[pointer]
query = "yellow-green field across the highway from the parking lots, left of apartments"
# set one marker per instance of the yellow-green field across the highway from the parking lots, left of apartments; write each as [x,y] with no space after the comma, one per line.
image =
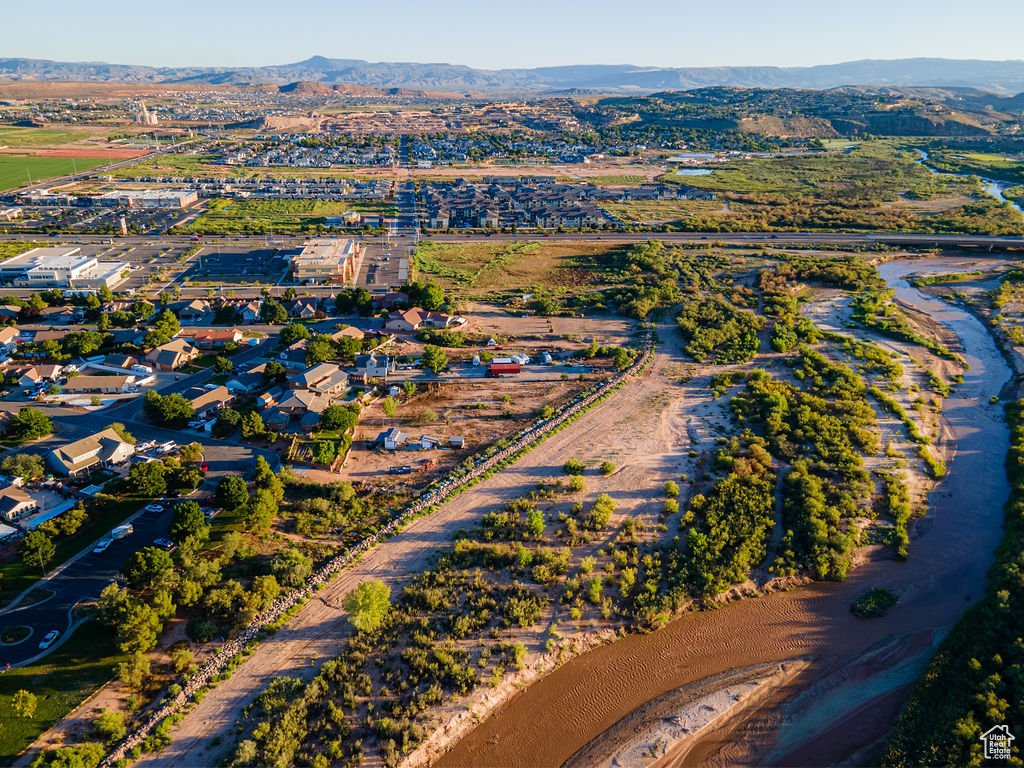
[259,217]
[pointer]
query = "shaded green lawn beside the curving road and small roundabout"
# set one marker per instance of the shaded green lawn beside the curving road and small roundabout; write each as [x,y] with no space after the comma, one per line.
[62,681]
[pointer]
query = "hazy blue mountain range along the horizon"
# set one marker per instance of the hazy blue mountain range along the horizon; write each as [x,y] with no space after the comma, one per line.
[1001,77]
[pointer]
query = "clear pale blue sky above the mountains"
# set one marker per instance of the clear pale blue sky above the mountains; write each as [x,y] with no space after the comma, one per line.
[497,34]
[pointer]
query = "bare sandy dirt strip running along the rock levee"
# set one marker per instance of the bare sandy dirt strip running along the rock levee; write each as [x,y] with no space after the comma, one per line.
[633,424]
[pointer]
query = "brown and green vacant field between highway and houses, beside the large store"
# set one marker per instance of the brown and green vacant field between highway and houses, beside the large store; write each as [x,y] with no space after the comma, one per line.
[489,269]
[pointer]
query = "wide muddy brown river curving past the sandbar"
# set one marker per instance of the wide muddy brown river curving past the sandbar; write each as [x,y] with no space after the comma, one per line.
[846,700]
